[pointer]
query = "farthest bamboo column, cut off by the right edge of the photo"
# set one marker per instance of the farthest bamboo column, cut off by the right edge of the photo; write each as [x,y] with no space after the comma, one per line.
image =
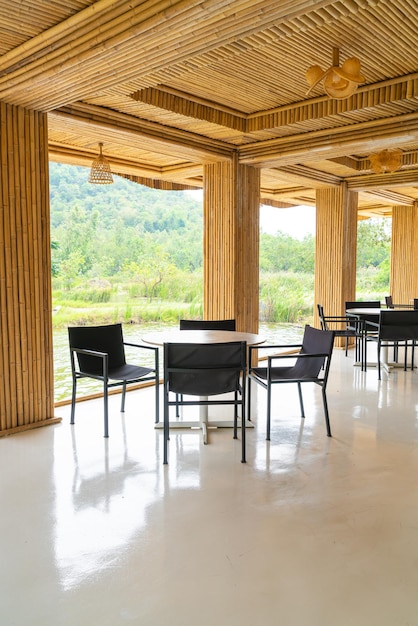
[404,254]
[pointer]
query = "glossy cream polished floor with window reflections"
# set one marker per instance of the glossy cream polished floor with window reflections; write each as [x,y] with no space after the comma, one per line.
[312,531]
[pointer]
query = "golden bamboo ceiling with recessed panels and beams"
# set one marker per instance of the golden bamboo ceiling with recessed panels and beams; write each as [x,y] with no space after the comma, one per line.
[171,85]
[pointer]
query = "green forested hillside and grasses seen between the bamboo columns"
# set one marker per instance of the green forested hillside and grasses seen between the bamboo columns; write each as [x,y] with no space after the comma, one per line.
[125,252]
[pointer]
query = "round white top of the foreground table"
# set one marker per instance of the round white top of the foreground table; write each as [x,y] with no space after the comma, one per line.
[201,336]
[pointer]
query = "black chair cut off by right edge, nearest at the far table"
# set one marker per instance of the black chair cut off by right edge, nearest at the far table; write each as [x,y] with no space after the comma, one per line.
[397,329]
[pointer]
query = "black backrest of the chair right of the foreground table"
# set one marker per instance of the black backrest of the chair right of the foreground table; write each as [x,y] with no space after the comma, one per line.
[314,341]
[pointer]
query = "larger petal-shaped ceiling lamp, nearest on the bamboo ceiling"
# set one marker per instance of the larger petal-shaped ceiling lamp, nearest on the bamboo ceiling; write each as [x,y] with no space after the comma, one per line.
[339,82]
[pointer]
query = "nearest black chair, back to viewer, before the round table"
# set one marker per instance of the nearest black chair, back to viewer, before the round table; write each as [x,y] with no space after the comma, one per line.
[205,370]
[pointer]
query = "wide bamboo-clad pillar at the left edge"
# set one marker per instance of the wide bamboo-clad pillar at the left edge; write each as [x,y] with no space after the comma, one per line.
[26,365]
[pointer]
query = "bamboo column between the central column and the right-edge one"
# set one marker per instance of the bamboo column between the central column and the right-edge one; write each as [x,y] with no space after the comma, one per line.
[335,251]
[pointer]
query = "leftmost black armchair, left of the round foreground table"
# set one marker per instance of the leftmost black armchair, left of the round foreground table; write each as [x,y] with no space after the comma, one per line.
[99,352]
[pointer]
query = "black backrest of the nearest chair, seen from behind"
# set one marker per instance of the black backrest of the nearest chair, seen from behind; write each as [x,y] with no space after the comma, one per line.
[204,369]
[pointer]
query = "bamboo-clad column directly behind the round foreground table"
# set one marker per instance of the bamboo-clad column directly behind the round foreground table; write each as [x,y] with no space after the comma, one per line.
[231,243]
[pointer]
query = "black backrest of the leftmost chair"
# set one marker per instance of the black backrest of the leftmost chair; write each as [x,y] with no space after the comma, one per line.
[107,339]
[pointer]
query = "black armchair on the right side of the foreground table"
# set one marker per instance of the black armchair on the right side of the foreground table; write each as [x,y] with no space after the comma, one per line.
[312,365]
